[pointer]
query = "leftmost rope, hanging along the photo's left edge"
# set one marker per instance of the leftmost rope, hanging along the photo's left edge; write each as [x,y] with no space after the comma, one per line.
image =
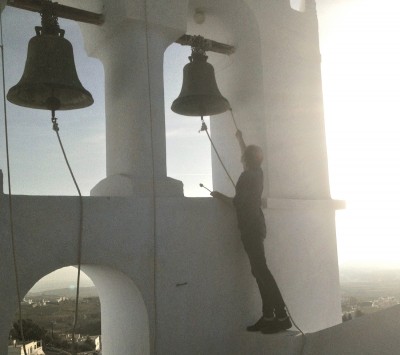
[10,205]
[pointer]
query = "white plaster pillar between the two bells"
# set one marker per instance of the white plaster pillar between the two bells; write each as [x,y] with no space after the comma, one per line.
[131,45]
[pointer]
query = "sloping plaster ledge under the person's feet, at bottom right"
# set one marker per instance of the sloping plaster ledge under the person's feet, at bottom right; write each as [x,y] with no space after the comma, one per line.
[368,335]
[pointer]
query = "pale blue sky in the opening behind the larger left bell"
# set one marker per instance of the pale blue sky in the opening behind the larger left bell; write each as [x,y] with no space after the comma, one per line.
[37,166]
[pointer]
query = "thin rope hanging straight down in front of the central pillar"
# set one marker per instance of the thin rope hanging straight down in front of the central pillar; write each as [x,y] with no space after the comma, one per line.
[153,180]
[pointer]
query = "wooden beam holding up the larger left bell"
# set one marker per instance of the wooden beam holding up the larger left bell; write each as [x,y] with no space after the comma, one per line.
[67,12]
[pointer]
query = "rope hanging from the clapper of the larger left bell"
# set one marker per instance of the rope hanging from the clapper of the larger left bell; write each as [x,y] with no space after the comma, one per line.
[56,129]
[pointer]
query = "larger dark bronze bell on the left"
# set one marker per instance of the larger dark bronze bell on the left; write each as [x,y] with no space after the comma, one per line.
[50,80]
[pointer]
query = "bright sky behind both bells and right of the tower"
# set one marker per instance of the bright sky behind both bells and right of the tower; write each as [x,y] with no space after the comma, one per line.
[360,46]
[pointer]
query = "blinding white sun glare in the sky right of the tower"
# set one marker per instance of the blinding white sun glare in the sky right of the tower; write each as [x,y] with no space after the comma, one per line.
[360,49]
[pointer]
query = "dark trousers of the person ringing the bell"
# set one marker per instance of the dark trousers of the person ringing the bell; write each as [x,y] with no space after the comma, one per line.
[272,300]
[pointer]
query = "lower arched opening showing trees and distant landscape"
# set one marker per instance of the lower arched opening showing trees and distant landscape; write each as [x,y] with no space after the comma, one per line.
[48,311]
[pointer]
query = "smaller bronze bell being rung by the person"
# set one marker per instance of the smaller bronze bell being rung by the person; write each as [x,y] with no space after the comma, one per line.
[199,94]
